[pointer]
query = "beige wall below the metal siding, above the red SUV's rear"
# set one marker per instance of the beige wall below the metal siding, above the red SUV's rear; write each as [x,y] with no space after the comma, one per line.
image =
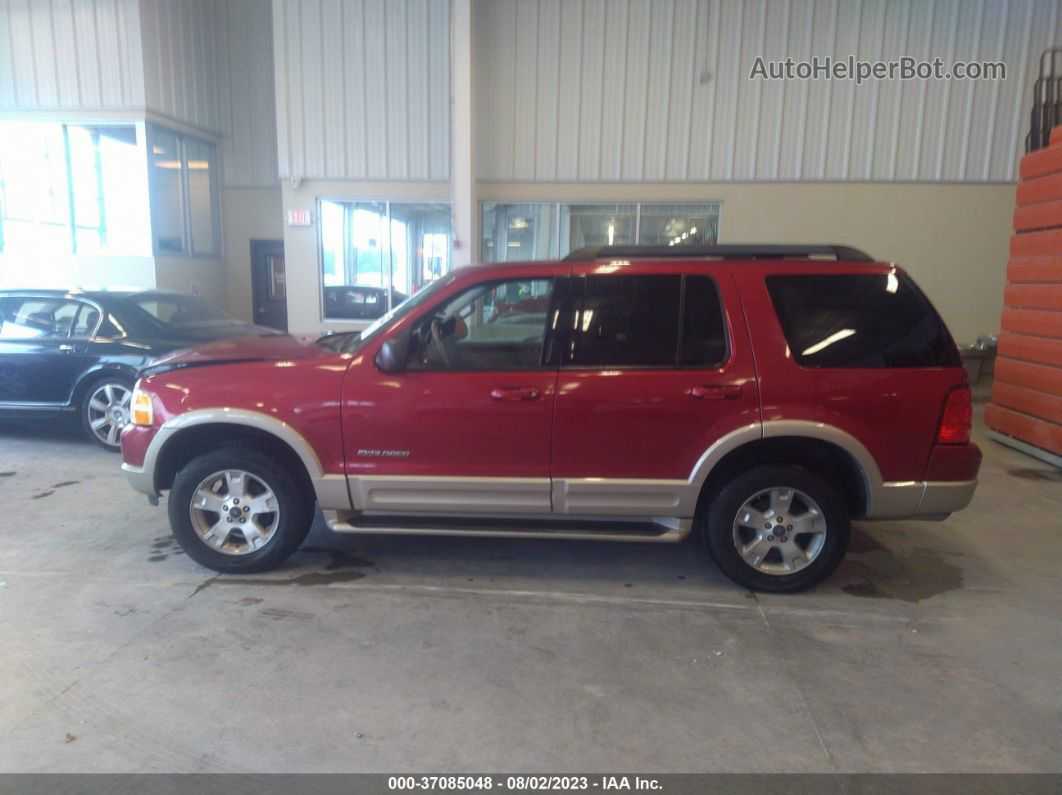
[952,238]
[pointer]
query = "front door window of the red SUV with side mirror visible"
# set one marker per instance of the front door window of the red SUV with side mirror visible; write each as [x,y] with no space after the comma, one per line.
[489,327]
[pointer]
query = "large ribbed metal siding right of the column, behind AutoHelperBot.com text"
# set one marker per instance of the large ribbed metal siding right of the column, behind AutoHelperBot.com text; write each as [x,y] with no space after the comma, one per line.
[660,90]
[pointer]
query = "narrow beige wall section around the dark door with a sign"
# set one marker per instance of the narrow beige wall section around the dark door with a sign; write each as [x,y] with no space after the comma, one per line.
[248,214]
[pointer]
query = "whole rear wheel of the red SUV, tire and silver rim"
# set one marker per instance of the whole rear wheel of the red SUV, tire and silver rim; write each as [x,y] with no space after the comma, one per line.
[778,529]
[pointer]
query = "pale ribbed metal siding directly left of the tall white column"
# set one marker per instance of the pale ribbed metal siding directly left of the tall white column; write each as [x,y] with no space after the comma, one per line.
[363,89]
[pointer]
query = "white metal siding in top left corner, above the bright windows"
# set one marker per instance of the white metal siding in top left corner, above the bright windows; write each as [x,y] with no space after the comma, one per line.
[77,55]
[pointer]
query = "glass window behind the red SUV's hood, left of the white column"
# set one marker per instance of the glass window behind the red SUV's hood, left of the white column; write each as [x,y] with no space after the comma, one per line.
[368,247]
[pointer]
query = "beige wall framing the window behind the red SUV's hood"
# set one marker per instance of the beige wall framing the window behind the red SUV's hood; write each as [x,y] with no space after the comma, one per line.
[301,243]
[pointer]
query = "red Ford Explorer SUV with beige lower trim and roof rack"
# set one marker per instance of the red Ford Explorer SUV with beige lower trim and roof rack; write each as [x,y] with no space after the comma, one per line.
[762,394]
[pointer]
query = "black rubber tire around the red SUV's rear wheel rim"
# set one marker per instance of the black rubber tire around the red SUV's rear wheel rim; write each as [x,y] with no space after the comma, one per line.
[720,530]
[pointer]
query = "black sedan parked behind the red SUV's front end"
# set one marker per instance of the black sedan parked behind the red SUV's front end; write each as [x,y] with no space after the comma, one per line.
[80,352]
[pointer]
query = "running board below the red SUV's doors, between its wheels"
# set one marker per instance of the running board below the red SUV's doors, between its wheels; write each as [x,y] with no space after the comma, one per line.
[540,527]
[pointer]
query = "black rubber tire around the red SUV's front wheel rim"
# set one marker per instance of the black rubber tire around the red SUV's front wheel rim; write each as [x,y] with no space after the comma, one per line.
[293,524]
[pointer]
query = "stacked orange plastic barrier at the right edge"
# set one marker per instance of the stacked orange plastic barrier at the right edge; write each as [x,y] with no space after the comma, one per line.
[1027,395]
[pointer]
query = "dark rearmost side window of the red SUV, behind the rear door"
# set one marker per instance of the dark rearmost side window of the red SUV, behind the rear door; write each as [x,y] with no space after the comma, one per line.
[860,321]
